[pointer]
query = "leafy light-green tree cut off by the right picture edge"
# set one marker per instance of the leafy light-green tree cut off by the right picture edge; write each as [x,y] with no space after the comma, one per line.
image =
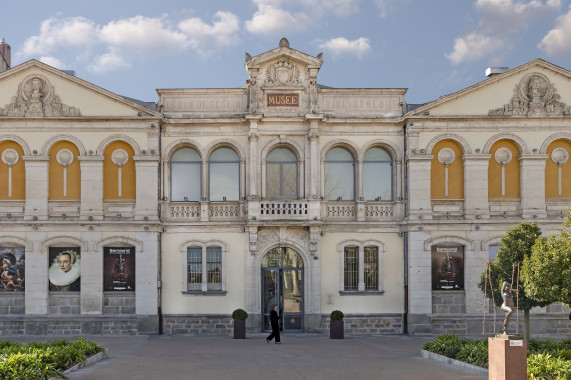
[547,271]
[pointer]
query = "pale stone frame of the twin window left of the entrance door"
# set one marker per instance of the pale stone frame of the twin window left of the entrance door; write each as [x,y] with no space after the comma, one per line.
[203,245]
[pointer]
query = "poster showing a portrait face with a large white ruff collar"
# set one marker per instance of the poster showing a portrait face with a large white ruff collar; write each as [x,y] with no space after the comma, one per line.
[65,269]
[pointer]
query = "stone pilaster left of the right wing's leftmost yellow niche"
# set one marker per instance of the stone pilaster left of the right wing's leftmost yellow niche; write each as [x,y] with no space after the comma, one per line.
[420,206]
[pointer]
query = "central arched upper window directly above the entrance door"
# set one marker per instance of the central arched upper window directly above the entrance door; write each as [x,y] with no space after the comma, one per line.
[281,172]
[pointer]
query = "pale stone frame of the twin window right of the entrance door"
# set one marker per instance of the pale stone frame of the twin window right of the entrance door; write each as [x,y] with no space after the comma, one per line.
[361,244]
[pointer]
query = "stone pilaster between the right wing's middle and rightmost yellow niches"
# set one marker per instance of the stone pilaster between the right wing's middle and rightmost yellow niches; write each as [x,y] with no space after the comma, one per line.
[533,185]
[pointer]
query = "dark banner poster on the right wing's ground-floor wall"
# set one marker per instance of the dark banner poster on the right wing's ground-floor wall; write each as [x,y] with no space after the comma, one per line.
[447,267]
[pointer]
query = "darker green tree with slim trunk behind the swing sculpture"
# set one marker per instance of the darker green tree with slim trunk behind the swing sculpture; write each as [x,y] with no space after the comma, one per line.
[515,247]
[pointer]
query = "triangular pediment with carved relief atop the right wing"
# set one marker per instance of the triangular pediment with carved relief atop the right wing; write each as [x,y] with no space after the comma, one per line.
[535,89]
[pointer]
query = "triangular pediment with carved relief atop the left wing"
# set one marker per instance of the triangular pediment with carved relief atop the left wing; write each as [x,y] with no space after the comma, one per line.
[35,89]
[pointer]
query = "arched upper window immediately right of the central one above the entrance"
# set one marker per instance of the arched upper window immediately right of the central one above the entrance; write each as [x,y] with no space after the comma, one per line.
[339,175]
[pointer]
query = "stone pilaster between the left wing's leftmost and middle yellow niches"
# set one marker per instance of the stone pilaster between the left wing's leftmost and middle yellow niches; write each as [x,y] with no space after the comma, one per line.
[36,187]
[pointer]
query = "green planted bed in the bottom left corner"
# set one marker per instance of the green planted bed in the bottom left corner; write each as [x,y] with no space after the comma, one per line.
[43,360]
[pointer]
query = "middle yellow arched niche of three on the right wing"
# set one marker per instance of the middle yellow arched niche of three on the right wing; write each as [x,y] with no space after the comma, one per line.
[512,172]
